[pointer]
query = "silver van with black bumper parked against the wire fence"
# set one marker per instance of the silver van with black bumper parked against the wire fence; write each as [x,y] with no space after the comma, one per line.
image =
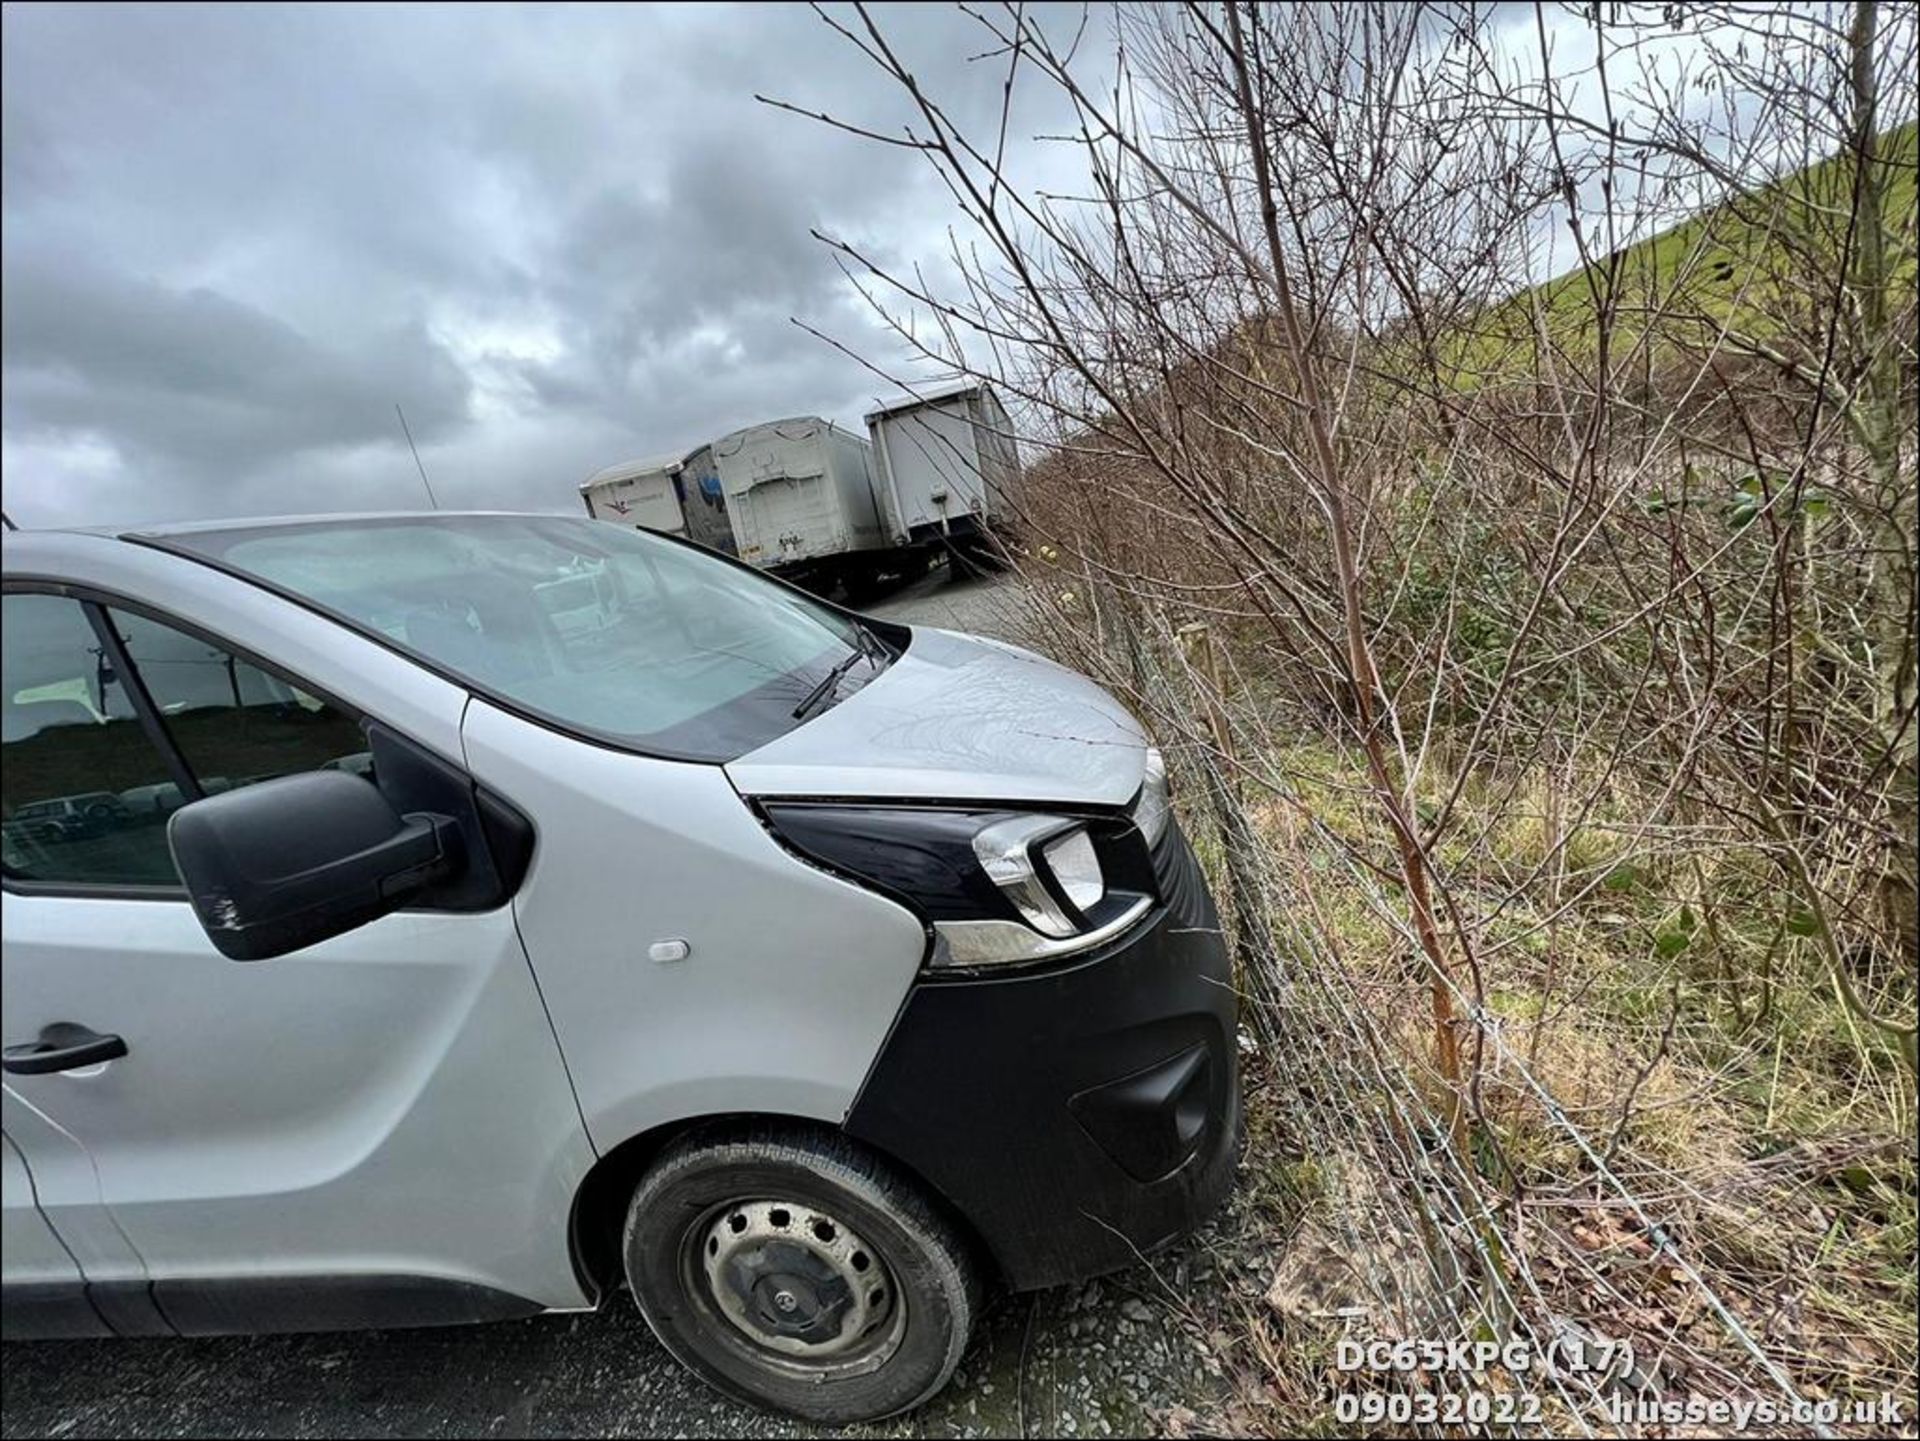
[585,910]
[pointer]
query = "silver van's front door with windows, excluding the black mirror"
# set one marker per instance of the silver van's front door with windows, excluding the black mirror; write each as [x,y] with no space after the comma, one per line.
[377,1129]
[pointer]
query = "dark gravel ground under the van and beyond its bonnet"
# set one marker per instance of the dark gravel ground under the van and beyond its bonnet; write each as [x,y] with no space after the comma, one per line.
[1103,1359]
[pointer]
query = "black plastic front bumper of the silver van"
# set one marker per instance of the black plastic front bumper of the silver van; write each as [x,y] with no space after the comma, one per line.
[1078,1116]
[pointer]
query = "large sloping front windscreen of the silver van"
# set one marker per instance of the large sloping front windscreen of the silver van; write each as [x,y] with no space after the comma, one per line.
[598,628]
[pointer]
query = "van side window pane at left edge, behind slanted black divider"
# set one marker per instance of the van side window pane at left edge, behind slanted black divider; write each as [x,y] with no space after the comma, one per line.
[84,793]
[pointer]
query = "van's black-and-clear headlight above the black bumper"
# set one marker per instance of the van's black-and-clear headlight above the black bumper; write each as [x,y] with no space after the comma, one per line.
[996,887]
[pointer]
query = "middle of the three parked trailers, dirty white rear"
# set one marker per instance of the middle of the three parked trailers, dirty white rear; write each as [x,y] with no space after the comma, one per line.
[802,498]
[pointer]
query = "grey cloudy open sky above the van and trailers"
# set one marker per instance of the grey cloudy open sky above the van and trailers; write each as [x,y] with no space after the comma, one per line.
[237,237]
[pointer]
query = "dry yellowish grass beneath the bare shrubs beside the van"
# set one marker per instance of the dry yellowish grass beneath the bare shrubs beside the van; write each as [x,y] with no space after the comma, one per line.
[1633,1066]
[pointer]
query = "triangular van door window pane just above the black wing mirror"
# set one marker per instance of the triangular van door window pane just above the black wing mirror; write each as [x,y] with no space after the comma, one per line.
[235,722]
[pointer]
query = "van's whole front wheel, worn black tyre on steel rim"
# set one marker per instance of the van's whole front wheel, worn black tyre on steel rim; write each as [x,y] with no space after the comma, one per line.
[800,1273]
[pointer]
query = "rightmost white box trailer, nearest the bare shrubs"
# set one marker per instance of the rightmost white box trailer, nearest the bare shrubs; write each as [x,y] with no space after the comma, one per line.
[944,465]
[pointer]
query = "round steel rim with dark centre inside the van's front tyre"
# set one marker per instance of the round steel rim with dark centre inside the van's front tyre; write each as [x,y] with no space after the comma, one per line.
[796,1281]
